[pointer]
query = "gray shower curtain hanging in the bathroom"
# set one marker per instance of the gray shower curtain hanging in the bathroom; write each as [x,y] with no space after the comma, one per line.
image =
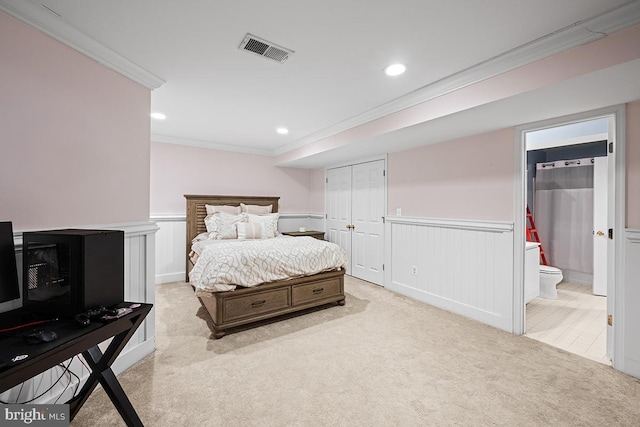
[564,216]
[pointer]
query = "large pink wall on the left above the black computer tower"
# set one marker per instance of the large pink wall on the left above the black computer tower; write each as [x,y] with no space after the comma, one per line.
[75,136]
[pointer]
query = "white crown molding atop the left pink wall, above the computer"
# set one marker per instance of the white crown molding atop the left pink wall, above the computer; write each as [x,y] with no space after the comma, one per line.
[46,22]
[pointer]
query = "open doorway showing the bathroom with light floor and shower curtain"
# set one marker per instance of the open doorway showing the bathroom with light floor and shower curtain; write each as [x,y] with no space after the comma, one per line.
[567,185]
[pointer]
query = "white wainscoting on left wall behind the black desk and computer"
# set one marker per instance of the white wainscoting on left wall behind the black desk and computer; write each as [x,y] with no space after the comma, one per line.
[139,286]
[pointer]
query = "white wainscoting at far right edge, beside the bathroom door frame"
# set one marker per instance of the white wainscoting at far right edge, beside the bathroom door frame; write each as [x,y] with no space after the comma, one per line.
[629,318]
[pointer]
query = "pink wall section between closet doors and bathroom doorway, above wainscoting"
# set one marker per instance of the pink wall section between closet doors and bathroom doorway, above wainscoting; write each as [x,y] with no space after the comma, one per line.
[468,178]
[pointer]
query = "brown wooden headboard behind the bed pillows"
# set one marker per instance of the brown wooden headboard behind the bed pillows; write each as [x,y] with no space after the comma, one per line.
[196,212]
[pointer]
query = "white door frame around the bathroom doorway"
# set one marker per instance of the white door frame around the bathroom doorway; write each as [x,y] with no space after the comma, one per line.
[616,259]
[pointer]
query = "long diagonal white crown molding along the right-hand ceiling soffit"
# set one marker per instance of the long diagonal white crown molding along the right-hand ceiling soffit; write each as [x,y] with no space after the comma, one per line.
[573,35]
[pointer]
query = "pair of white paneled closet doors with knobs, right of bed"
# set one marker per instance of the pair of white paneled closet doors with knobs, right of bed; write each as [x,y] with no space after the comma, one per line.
[355,217]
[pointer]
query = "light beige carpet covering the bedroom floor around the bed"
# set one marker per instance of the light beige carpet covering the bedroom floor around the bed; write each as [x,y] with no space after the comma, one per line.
[381,360]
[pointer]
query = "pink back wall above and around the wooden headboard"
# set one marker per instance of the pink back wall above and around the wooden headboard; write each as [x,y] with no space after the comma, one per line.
[177,170]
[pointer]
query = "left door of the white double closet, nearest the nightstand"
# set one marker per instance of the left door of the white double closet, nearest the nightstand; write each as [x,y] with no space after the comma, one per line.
[339,209]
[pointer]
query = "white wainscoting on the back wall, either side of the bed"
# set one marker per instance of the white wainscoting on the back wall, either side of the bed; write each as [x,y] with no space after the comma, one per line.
[171,240]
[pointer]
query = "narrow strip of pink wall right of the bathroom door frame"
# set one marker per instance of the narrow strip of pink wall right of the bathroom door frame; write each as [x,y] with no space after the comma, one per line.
[633,165]
